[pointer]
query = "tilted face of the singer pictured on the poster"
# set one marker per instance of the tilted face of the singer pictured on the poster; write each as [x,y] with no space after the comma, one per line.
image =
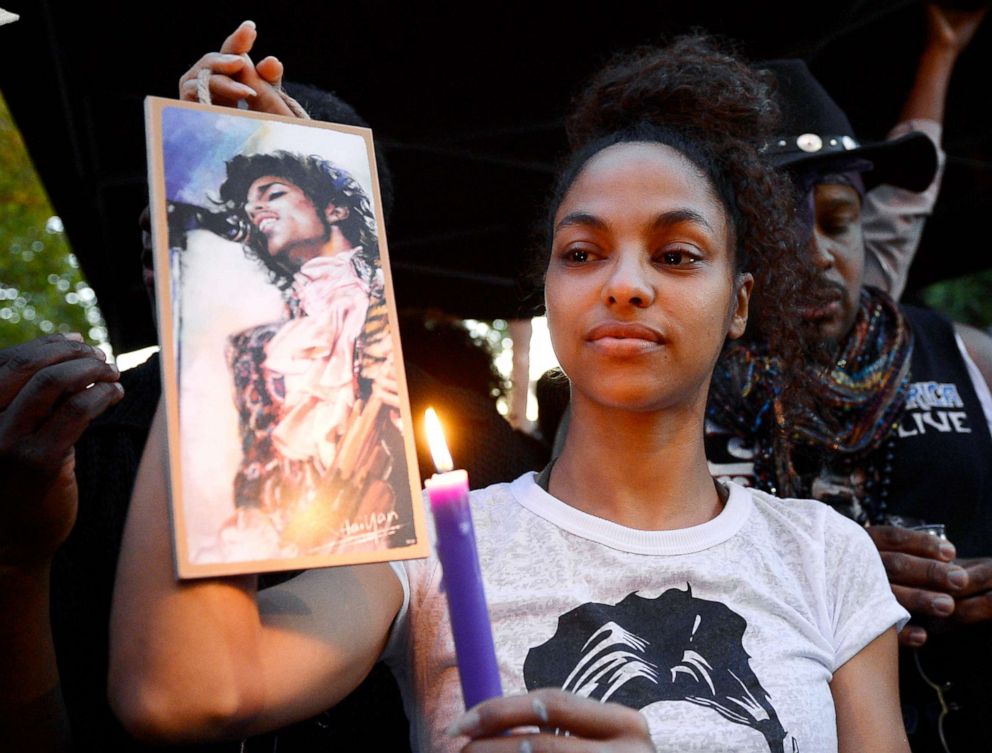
[286,217]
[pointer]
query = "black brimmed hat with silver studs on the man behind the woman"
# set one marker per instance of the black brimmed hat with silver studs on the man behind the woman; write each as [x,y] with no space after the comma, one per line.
[816,133]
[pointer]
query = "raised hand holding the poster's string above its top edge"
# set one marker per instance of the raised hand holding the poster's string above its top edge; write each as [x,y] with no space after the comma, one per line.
[234,77]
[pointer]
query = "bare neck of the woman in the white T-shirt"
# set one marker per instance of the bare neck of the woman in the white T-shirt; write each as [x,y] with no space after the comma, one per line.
[641,470]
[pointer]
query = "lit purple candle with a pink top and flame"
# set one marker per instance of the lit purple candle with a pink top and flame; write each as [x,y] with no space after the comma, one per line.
[448,493]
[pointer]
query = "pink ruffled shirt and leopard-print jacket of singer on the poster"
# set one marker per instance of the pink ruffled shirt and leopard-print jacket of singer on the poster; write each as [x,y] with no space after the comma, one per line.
[295,381]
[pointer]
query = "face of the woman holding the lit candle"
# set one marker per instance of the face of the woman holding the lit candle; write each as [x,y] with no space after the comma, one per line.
[640,290]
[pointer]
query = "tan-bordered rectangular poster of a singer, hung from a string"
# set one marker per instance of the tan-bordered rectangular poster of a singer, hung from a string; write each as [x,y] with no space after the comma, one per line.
[290,435]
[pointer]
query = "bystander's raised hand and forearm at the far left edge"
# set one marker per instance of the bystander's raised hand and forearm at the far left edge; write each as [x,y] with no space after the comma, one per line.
[50,390]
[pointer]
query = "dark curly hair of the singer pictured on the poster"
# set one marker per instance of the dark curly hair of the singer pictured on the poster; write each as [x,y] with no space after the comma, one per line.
[321,181]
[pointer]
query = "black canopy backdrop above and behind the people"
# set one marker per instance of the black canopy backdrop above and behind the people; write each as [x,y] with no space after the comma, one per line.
[467,100]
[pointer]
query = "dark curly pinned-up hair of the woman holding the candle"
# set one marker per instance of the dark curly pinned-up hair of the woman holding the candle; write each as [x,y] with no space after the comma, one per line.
[710,106]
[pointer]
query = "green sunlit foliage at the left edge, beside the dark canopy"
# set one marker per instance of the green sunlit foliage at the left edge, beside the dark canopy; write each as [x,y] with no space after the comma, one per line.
[41,287]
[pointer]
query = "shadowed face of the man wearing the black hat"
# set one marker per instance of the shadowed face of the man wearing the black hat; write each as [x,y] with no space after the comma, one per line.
[839,256]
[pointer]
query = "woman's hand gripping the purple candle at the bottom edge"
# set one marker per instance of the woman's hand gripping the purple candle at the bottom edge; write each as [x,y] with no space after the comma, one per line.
[492,726]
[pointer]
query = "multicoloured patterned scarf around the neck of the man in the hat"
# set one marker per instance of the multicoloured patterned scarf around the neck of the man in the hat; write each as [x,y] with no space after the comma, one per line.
[854,406]
